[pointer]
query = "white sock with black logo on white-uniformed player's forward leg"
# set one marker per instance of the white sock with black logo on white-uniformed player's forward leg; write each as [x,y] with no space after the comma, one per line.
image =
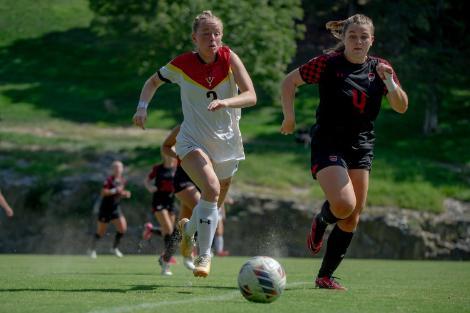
[207,218]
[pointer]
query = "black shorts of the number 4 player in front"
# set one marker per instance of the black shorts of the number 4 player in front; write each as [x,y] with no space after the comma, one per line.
[349,157]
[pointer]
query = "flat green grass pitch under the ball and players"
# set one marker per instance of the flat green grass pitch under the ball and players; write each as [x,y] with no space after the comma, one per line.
[36,283]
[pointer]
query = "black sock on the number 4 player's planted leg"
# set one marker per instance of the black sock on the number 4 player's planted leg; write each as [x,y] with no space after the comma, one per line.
[338,244]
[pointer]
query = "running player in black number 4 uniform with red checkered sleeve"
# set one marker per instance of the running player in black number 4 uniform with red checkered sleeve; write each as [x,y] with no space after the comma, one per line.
[351,85]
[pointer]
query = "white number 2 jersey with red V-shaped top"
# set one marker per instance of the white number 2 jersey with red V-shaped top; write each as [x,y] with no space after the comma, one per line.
[217,133]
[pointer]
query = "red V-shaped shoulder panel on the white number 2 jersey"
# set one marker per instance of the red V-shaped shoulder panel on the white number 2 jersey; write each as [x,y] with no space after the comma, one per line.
[207,75]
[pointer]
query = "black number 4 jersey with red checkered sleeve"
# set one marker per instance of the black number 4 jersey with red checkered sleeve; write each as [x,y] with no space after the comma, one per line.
[350,98]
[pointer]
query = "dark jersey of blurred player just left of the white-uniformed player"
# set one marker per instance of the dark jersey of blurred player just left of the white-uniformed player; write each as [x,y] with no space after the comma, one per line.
[163,180]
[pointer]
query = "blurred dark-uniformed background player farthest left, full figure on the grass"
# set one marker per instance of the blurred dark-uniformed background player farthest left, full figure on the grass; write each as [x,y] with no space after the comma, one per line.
[111,194]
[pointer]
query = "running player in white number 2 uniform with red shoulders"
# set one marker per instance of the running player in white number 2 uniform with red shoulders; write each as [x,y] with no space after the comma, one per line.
[214,86]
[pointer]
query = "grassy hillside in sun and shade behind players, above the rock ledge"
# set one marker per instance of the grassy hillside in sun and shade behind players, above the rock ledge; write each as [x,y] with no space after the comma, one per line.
[66,92]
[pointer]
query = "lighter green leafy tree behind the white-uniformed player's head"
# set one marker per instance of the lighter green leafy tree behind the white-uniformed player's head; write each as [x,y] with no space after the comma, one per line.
[263,33]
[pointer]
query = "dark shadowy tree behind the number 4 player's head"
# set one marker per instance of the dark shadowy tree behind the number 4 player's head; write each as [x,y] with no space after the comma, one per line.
[426,40]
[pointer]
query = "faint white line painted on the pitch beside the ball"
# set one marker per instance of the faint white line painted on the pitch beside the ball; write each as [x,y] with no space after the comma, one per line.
[151,305]
